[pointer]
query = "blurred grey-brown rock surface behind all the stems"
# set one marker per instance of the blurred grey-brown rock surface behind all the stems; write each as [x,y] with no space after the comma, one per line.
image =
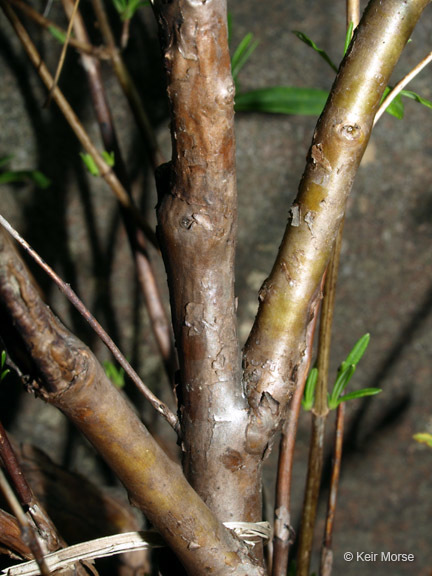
[385,285]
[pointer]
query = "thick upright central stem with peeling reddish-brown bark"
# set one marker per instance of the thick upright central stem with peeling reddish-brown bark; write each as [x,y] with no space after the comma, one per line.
[197,230]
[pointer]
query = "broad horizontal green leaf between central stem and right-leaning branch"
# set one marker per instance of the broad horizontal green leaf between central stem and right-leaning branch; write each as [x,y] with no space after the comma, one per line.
[282,100]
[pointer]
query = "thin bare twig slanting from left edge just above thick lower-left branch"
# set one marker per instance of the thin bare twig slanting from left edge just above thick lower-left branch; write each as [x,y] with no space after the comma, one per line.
[157,404]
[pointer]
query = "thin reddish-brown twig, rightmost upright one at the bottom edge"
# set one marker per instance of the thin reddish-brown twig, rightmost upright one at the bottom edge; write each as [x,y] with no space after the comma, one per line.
[326,552]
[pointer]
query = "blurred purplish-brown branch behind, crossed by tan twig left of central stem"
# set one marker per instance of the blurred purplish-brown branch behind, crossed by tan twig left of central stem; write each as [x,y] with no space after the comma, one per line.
[145,273]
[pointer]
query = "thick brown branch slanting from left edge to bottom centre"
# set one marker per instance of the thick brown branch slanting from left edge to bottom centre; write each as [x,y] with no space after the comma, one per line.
[73,381]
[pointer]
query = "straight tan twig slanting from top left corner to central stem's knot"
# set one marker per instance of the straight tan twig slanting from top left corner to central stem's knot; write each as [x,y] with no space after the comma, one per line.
[73,121]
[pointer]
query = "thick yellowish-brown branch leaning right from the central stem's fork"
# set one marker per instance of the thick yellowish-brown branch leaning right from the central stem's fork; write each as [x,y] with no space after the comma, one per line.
[275,348]
